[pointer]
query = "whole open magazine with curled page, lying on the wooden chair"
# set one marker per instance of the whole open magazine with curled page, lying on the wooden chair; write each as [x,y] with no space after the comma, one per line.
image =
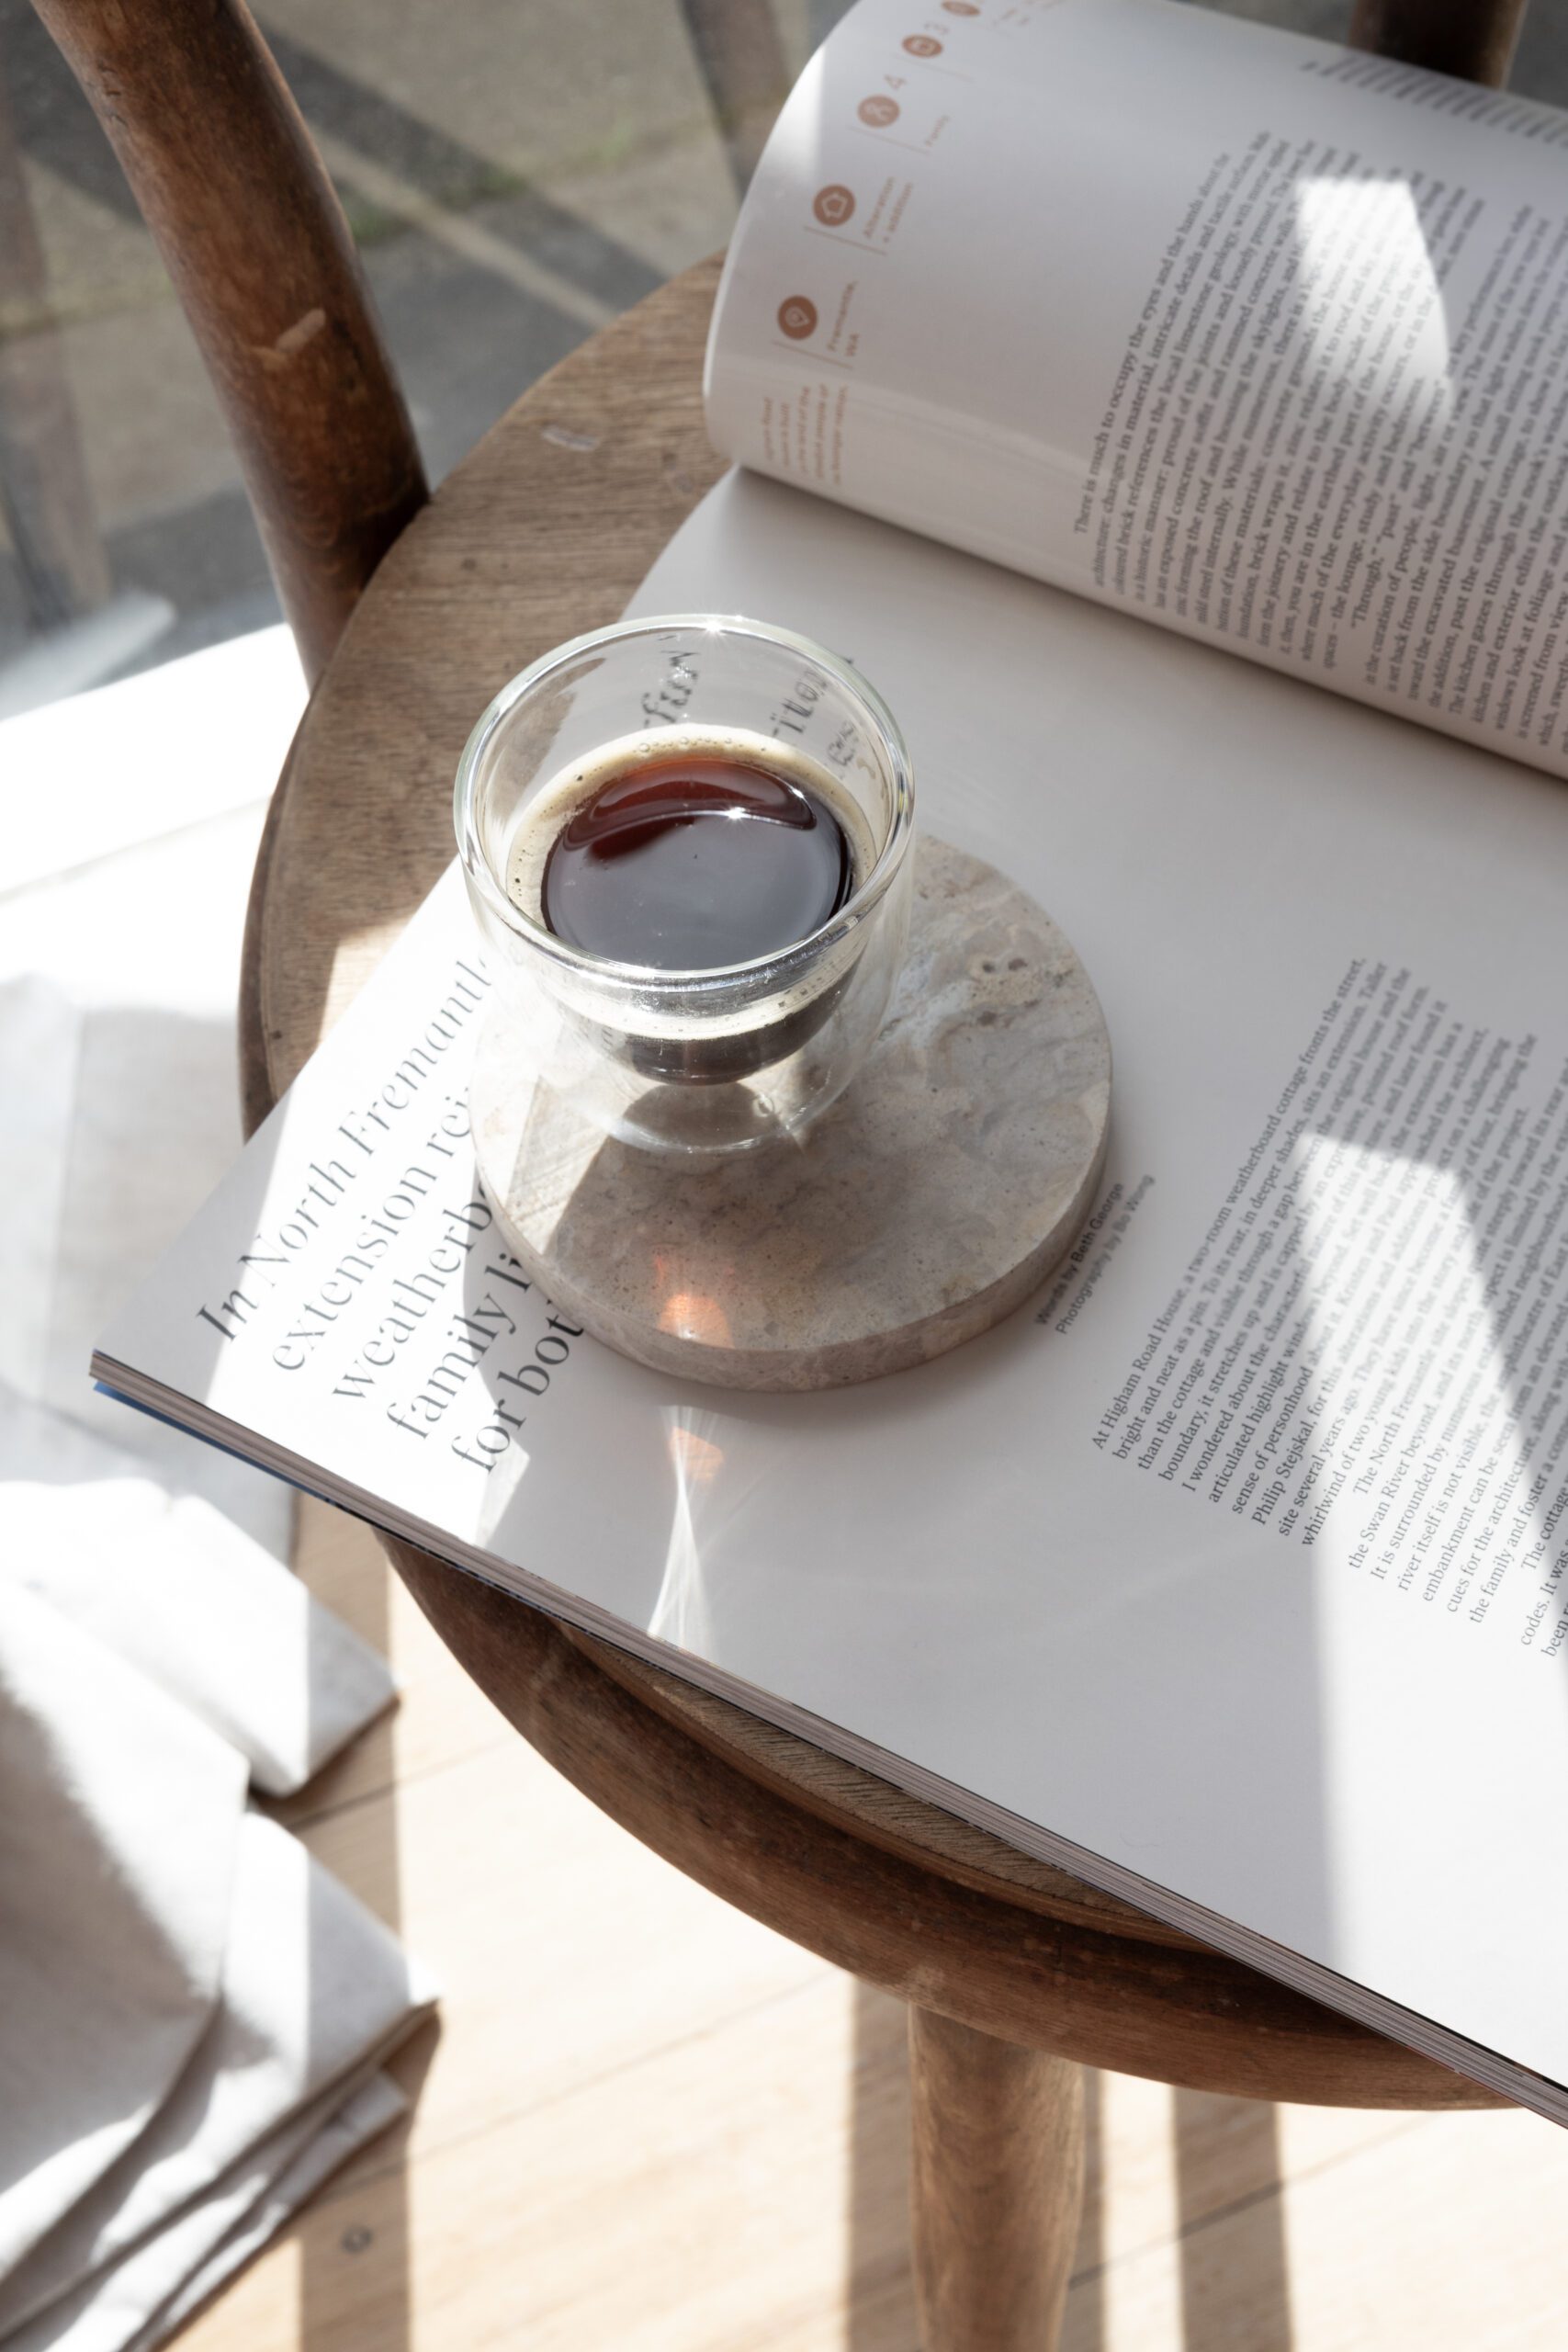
[1233,1570]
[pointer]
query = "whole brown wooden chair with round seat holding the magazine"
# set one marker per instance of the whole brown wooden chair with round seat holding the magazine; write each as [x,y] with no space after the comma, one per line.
[410,615]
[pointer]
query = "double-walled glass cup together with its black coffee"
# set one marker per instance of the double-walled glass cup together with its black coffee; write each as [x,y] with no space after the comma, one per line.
[641,810]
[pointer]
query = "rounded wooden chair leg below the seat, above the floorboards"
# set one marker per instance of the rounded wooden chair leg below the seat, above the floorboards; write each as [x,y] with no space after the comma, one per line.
[998,2186]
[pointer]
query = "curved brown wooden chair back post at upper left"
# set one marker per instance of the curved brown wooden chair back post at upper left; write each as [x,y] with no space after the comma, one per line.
[264,265]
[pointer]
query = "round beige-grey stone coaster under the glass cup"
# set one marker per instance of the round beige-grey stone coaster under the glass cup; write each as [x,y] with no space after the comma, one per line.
[920,1210]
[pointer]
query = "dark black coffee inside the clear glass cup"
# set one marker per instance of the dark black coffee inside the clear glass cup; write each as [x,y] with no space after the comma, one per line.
[695,862]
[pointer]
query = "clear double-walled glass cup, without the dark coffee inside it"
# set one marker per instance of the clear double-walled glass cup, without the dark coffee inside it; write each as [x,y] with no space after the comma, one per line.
[711,1060]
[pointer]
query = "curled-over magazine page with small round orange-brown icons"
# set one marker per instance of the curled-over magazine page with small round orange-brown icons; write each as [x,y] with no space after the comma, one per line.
[1249,335]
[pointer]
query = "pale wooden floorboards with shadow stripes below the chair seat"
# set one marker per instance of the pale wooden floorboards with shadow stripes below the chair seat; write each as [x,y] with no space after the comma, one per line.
[652,2125]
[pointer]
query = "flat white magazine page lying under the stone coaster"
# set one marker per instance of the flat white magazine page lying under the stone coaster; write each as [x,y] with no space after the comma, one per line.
[1233,1570]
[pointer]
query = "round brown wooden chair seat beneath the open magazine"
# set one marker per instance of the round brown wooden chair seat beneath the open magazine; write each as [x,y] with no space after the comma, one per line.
[547,530]
